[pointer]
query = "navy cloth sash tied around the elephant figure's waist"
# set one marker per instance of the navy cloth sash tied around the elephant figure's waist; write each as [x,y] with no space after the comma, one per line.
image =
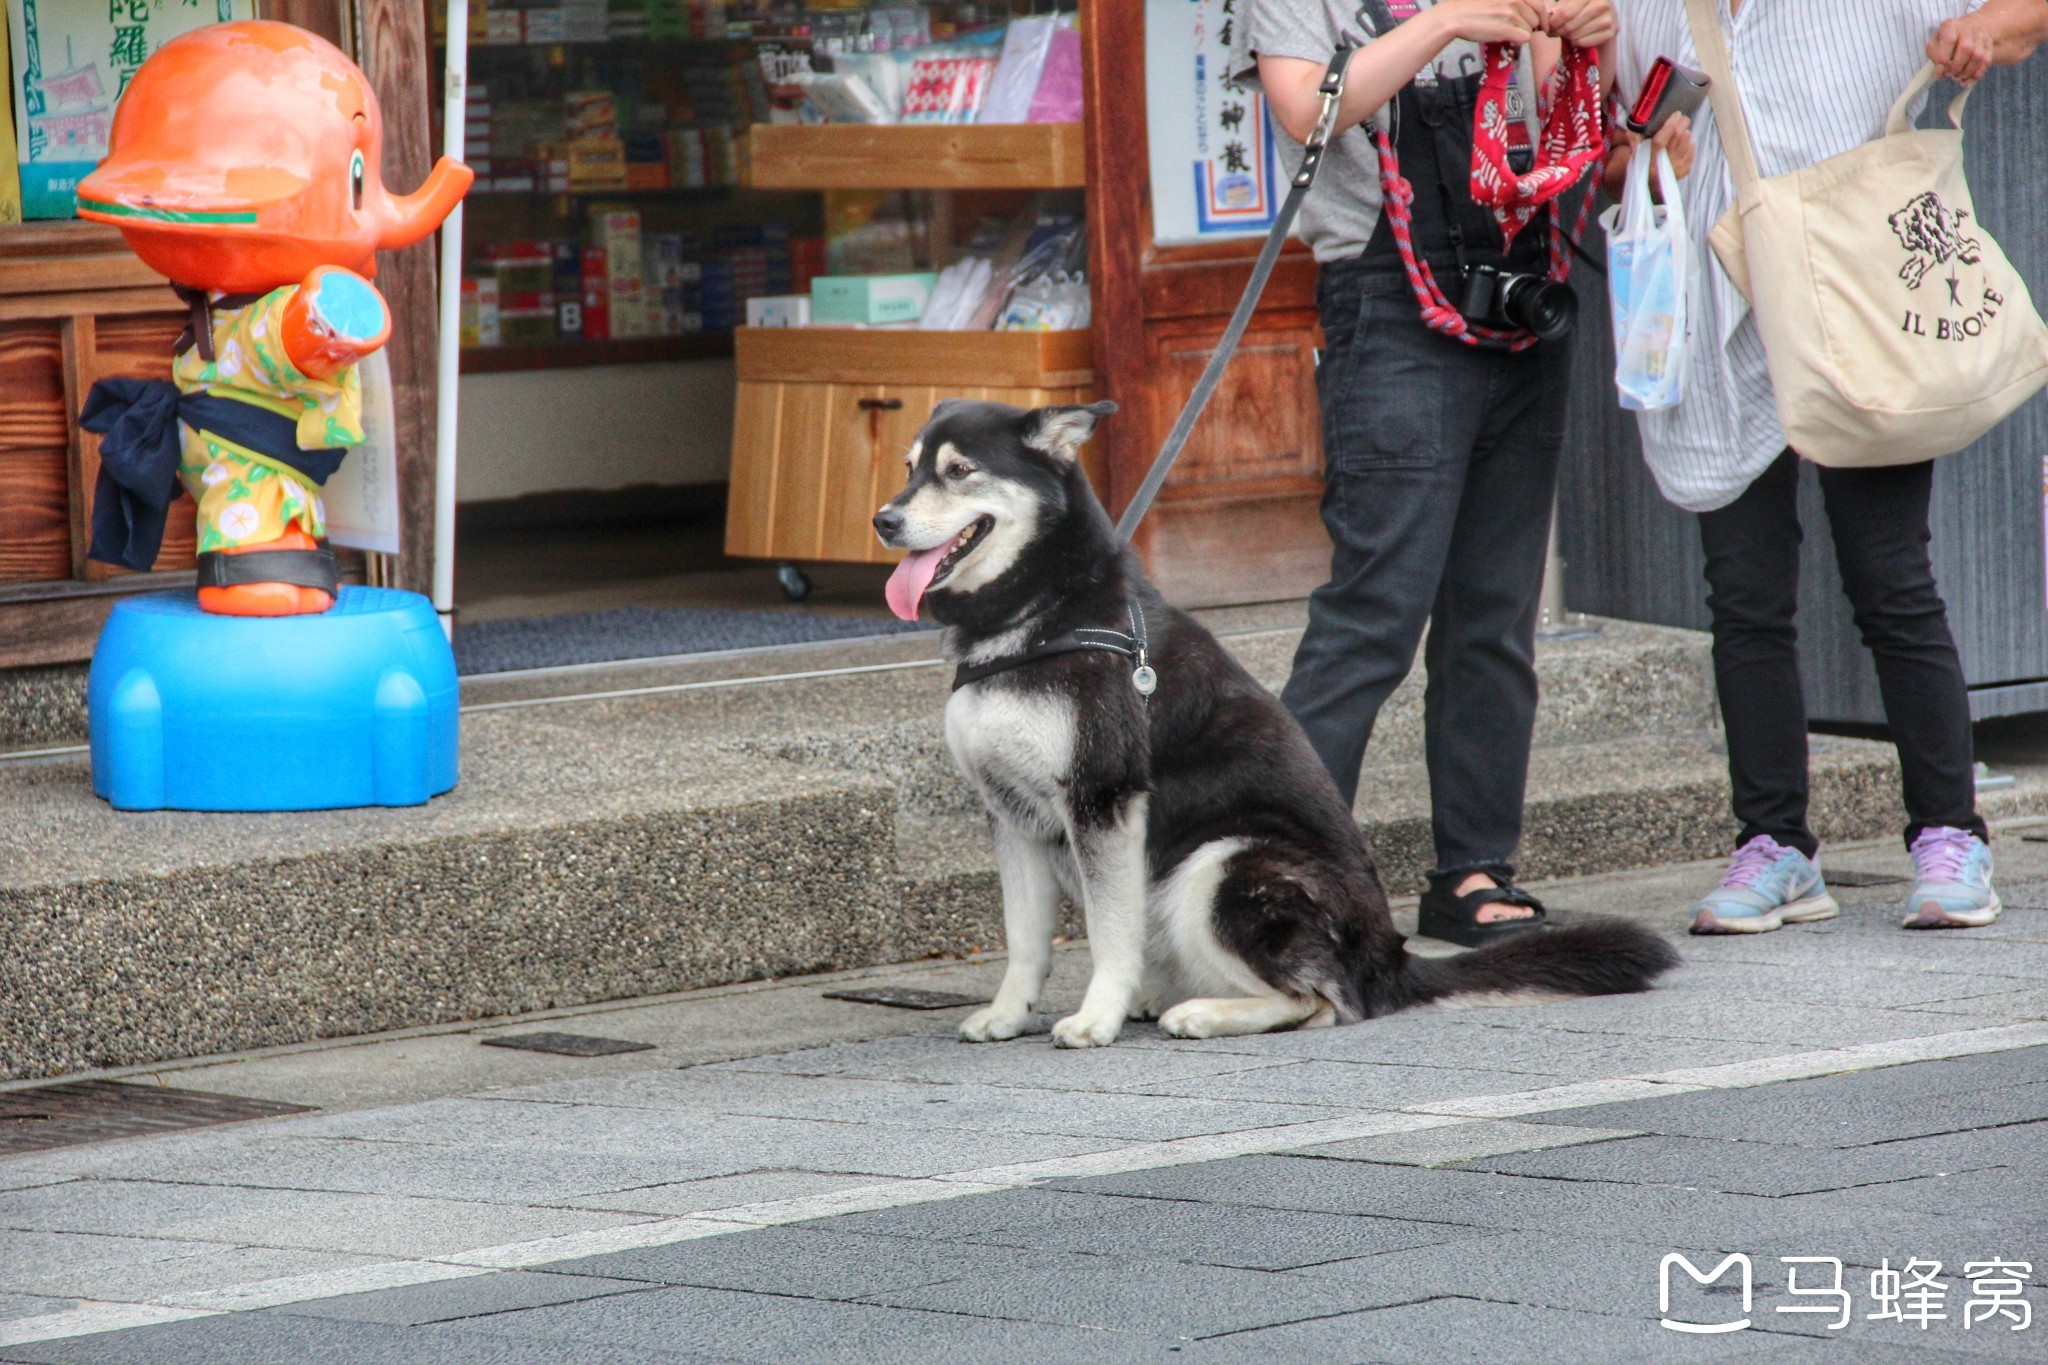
[140,447]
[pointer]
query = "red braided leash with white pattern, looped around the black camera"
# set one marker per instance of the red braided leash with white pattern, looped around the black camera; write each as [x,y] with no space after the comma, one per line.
[1574,140]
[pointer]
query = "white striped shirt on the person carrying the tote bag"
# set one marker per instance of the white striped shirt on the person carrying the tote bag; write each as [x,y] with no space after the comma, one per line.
[1818,79]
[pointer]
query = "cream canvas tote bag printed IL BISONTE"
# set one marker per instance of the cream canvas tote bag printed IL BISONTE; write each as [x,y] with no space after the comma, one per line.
[1893,324]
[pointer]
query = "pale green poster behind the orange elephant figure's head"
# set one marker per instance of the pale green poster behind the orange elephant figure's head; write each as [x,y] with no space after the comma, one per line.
[73,60]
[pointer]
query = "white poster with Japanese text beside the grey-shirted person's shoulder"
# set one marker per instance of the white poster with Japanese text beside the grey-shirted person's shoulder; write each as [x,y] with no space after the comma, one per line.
[1213,169]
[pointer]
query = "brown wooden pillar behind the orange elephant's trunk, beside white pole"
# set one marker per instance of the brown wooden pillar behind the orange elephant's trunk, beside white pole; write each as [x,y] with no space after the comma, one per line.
[396,60]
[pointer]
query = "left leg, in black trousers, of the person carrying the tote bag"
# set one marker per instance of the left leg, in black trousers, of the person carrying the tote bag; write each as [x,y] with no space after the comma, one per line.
[1752,576]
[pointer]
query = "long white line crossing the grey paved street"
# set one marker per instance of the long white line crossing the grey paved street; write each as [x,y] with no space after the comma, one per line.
[97,1317]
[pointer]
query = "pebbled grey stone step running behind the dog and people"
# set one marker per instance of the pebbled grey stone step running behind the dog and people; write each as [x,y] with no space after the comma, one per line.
[683,824]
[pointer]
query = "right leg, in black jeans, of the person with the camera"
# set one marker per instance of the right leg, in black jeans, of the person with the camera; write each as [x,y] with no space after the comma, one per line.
[1482,648]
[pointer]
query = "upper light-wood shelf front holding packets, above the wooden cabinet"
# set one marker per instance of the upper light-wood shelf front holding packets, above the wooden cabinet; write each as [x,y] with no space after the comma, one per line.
[916,157]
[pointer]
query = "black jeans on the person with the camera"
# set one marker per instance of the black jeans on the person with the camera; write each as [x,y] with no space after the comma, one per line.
[1441,466]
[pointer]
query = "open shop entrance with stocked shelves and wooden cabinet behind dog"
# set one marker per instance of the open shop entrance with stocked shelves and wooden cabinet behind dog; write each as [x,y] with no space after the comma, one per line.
[720,265]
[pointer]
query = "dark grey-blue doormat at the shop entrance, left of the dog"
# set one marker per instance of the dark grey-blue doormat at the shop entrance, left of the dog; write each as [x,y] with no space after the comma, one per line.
[648,633]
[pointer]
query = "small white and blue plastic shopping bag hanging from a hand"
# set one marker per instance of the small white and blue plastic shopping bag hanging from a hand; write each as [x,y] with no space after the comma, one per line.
[1650,271]
